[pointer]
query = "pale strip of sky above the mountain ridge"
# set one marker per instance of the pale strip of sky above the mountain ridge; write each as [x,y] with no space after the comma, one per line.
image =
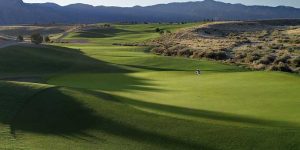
[128,3]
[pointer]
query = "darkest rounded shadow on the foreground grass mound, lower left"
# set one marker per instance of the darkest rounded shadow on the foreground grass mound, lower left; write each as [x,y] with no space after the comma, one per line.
[53,112]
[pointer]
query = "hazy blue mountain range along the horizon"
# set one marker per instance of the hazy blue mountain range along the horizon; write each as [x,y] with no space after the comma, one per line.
[18,12]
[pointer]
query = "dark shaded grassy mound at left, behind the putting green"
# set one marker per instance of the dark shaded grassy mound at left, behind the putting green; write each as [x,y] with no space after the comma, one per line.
[51,60]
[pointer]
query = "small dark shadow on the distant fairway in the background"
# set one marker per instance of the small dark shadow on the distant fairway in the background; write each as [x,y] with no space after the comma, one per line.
[102,33]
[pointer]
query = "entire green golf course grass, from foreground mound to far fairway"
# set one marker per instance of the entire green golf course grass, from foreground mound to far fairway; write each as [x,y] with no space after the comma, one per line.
[91,93]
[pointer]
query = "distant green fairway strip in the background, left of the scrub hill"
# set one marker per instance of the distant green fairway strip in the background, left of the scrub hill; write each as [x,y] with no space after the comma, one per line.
[125,33]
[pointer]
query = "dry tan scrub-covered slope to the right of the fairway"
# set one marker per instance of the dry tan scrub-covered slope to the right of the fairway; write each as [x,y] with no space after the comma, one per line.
[260,45]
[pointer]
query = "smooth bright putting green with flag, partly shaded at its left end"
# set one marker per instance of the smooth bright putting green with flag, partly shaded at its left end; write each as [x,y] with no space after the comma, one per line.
[221,92]
